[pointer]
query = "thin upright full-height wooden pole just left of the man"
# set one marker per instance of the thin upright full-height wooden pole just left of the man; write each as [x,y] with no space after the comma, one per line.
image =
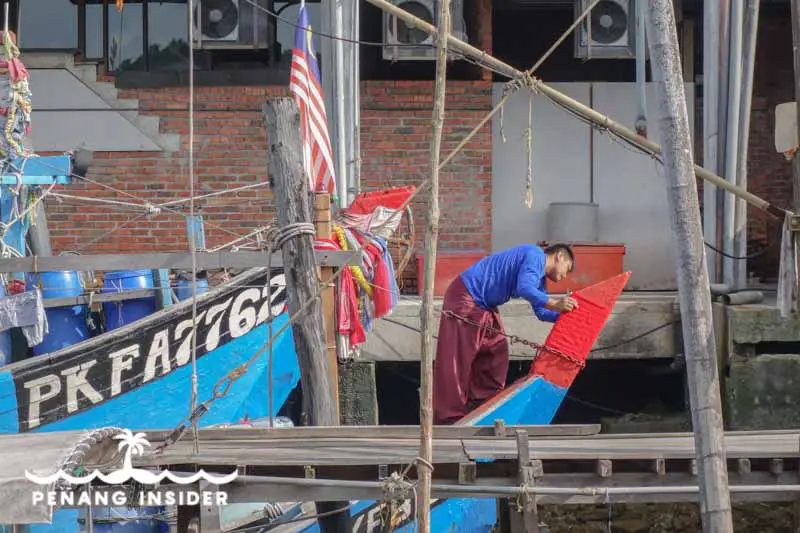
[426,313]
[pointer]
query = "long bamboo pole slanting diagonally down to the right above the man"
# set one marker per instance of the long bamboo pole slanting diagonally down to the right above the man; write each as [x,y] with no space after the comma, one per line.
[585,112]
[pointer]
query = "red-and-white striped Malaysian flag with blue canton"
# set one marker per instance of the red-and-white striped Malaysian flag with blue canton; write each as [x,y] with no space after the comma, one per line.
[304,82]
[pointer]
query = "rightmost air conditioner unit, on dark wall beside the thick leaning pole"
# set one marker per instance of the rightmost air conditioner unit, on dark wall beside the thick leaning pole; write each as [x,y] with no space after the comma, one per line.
[609,32]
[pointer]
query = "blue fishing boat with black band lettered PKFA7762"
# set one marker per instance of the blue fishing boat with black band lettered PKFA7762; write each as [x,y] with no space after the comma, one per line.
[138,376]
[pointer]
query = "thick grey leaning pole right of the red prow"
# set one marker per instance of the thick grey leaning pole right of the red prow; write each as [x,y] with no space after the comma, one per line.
[695,298]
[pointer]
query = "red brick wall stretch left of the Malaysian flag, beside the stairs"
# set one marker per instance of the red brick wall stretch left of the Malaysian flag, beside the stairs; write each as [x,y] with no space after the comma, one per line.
[230,151]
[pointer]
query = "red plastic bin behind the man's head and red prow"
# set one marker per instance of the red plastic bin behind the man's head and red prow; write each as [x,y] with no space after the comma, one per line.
[594,262]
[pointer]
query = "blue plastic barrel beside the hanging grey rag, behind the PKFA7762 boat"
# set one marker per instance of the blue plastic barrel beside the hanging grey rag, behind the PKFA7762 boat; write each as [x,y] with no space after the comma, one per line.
[66,325]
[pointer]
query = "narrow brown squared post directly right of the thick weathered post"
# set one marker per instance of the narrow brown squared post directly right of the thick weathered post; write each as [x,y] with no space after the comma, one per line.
[324,227]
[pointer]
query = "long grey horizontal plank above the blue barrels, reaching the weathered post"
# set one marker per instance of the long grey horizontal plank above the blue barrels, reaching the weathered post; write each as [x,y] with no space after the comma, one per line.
[154,261]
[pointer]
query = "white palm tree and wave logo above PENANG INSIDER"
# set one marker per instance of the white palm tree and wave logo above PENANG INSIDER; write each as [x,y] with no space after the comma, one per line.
[133,445]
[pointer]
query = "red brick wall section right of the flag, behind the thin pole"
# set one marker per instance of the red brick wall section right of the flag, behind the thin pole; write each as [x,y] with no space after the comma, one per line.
[395,137]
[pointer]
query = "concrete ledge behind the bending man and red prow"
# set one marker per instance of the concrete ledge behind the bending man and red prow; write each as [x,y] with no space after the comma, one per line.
[397,339]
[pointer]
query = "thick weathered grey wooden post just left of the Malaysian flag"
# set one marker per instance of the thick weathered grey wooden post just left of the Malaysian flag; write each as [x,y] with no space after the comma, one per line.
[293,204]
